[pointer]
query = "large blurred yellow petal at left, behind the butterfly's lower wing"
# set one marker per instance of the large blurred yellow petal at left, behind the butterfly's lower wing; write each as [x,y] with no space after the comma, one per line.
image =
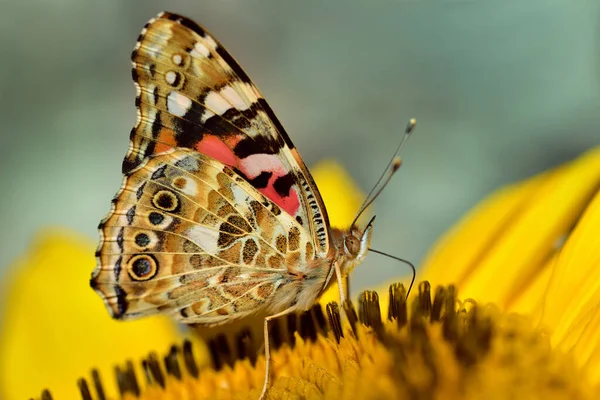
[56,328]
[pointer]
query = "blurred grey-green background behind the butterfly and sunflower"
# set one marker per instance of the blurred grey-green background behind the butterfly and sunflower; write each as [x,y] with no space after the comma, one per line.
[501,89]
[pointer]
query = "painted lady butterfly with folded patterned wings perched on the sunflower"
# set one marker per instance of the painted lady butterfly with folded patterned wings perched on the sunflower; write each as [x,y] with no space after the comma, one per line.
[218,217]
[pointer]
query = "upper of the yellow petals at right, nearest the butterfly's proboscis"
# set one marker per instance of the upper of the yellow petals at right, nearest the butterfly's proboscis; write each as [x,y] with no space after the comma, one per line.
[503,245]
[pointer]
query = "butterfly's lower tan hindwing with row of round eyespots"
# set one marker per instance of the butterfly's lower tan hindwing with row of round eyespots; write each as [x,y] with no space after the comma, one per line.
[188,236]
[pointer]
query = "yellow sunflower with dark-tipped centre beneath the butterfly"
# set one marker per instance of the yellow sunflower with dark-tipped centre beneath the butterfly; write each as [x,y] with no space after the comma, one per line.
[526,255]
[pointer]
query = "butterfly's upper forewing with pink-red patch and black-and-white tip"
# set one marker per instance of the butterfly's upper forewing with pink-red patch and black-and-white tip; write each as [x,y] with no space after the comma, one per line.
[191,93]
